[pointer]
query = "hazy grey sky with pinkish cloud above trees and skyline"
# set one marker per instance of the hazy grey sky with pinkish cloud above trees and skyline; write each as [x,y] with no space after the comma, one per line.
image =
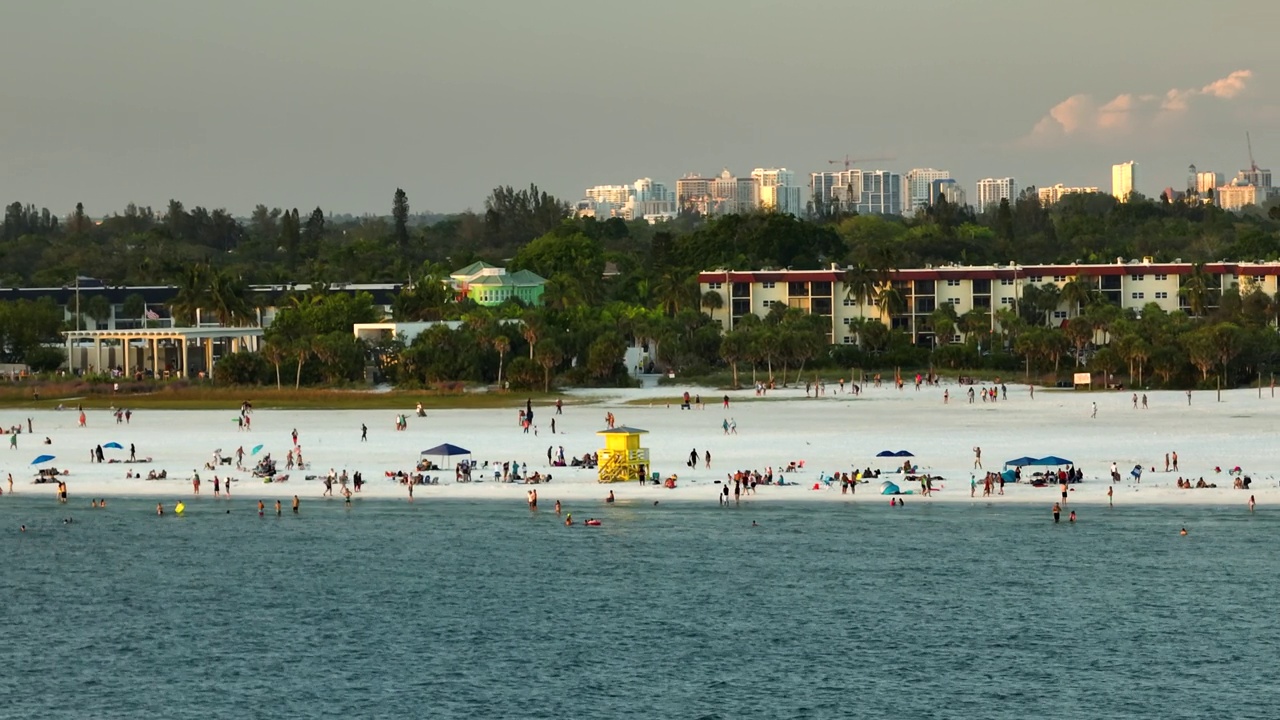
[336,104]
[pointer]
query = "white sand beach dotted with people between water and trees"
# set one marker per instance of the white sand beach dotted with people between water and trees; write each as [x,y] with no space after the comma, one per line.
[830,434]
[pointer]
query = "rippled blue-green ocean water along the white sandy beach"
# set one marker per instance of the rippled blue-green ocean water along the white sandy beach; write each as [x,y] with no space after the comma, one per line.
[468,609]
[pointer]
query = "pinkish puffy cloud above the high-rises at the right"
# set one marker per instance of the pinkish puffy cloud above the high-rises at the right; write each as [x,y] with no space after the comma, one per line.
[1082,117]
